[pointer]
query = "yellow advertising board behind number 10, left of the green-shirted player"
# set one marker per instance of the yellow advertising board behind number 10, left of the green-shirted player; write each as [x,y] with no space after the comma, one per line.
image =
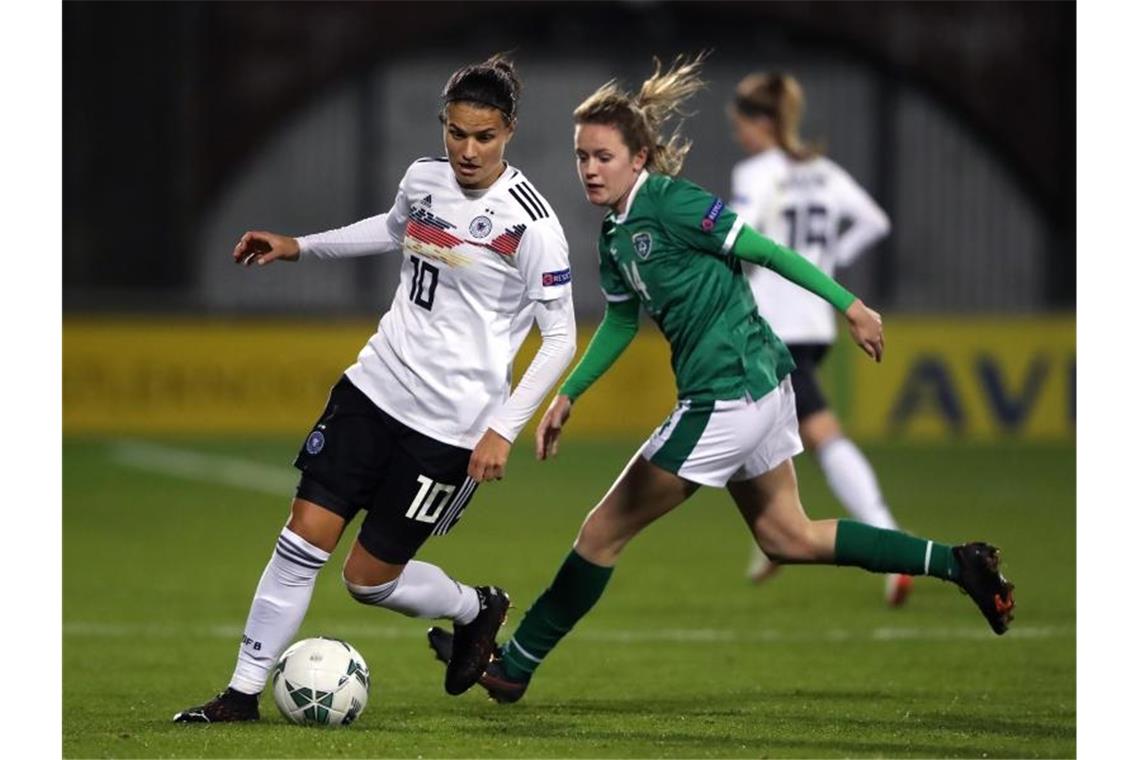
[260,378]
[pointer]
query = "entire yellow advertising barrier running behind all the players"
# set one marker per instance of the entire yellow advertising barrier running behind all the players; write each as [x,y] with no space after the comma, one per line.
[974,379]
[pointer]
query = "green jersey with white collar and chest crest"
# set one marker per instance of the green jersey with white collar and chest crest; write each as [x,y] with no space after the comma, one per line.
[673,251]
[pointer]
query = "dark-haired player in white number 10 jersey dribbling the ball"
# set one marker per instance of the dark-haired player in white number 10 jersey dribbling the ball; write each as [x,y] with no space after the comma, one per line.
[427,412]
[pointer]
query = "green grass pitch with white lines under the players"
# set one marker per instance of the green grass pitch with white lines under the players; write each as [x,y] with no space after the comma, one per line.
[165,543]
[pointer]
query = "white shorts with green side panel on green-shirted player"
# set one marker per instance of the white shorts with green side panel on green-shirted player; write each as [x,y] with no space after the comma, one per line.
[713,443]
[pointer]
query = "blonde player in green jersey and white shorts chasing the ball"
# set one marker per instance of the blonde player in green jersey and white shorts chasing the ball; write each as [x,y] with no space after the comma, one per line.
[670,247]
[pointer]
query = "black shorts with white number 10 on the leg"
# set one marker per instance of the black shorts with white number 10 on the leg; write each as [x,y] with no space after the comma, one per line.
[359,457]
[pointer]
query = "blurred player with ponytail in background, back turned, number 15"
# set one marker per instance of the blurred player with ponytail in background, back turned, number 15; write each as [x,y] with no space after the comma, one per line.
[803,200]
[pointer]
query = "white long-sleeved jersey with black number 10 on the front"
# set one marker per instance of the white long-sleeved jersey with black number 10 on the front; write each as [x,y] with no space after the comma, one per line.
[476,264]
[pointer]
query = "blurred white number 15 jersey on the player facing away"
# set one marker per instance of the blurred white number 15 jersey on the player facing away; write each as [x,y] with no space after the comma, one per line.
[803,206]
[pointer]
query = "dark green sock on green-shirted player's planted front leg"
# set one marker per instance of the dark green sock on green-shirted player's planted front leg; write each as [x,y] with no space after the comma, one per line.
[577,586]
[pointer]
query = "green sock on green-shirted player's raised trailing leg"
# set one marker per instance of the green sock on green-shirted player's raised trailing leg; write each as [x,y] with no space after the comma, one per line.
[892,552]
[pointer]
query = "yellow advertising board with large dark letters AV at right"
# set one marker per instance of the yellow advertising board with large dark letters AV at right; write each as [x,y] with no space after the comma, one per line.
[967,378]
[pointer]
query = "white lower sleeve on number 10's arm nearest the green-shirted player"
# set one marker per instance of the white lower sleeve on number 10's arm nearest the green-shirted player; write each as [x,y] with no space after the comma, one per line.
[557,325]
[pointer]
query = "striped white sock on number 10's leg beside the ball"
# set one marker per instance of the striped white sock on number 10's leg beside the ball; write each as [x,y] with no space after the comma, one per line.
[279,607]
